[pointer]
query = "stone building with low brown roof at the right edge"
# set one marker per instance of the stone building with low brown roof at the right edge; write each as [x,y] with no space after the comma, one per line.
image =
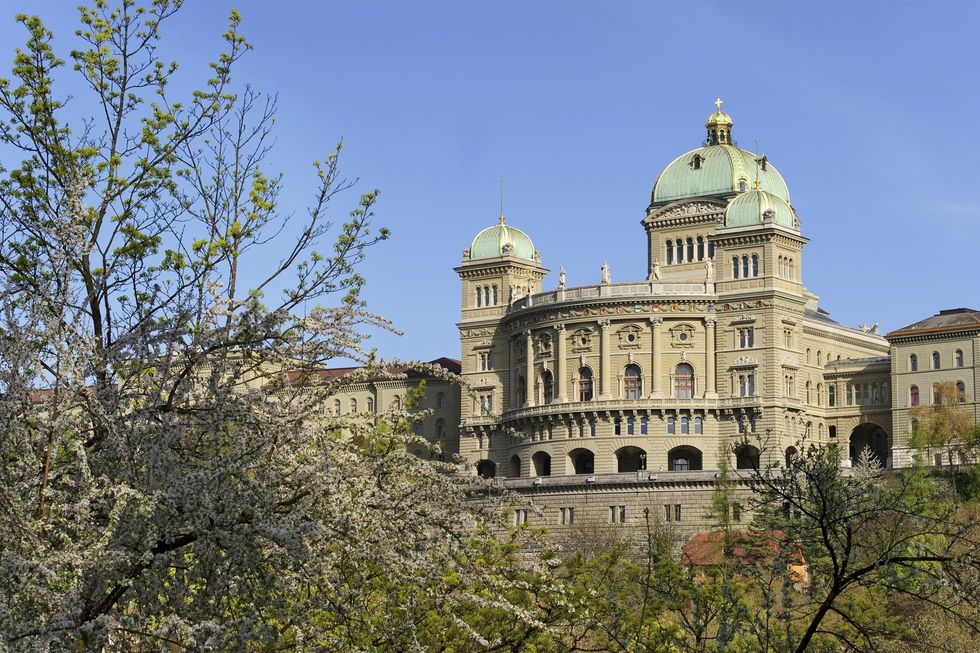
[944,347]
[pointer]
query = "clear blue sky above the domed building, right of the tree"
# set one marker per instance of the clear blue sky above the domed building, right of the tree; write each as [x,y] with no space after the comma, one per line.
[865,108]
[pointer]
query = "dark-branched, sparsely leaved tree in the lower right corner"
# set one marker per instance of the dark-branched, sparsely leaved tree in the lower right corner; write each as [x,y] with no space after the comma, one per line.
[868,536]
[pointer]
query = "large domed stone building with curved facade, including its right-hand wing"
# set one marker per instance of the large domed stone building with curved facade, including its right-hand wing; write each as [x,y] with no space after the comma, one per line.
[602,403]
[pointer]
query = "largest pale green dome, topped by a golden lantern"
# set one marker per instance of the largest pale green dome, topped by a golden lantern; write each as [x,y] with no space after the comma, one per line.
[715,170]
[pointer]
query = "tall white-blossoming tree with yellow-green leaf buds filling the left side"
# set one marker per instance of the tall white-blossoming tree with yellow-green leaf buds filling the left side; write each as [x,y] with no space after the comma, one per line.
[164,481]
